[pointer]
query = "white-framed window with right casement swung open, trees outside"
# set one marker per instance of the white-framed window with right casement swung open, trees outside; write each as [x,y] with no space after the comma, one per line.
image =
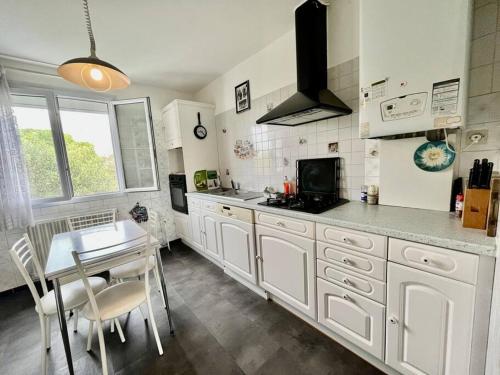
[73,146]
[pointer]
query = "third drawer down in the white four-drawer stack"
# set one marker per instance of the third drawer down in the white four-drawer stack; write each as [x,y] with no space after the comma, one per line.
[363,285]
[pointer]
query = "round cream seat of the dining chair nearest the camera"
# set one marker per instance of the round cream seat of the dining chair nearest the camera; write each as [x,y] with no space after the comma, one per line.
[117,300]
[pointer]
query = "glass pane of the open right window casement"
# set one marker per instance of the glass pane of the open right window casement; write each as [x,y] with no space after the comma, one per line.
[133,129]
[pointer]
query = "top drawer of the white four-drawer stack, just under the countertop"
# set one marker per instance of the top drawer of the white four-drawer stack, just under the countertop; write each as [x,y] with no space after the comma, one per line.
[367,243]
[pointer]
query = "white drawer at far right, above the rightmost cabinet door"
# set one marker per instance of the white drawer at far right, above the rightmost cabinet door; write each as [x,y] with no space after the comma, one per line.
[453,264]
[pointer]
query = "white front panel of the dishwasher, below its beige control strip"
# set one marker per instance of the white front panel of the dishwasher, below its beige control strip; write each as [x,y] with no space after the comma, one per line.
[238,248]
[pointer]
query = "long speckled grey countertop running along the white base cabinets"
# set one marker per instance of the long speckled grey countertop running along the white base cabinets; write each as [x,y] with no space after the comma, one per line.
[425,226]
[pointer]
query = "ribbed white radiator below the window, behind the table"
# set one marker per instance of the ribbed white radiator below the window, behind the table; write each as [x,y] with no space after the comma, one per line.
[41,236]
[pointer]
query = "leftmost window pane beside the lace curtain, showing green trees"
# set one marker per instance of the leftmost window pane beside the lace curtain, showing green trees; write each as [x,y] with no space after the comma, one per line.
[38,145]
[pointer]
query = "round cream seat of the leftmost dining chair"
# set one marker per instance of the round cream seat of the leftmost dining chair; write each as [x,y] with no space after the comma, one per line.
[73,295]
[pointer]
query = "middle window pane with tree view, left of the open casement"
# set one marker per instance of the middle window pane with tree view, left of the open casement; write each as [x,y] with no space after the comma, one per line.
[89,146]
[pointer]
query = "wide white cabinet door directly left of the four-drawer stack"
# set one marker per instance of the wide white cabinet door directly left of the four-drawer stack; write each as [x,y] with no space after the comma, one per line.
[286,268]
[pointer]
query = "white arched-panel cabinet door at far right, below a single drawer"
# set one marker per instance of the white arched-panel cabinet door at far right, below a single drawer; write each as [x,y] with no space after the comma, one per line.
[429,327]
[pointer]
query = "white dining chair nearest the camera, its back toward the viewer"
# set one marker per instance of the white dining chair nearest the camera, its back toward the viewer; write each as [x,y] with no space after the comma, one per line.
[117,299]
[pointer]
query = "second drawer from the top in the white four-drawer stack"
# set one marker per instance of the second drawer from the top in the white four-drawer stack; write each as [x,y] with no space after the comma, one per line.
[354,261]
